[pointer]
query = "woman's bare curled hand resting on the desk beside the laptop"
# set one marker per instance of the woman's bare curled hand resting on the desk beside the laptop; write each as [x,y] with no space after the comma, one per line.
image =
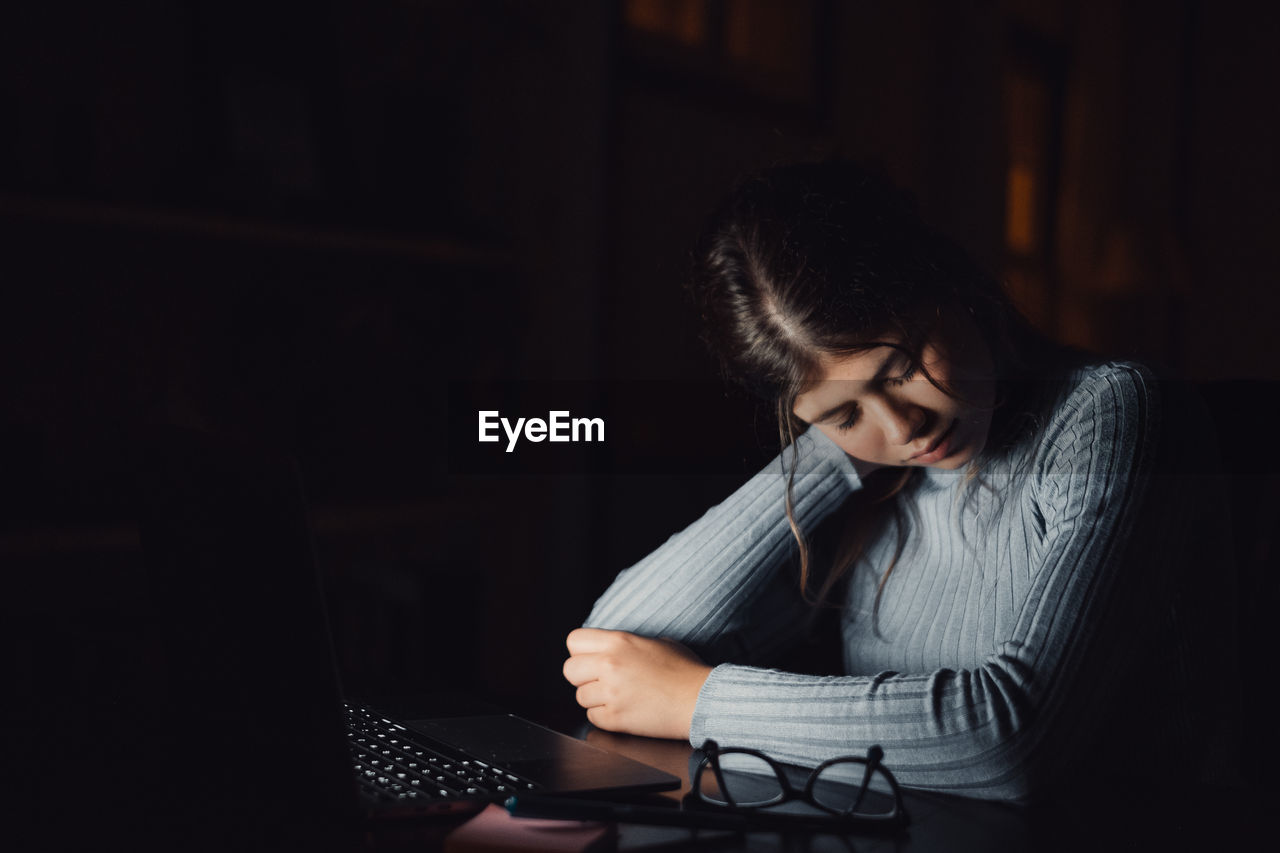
[636,685]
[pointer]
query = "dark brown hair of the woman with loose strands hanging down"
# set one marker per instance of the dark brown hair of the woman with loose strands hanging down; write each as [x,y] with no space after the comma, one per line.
[829,259]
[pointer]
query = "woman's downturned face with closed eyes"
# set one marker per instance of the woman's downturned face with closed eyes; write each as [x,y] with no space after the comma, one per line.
[880,408]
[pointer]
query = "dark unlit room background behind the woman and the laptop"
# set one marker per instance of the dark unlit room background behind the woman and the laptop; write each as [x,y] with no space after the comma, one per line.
[332,227]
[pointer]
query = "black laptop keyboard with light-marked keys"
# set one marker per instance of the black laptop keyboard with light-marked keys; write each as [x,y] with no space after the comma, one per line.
[394,768]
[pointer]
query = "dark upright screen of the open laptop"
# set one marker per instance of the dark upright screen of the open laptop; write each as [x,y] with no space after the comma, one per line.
[253,692]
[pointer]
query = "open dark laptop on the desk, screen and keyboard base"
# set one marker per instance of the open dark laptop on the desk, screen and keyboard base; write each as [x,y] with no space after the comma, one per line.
[260,726]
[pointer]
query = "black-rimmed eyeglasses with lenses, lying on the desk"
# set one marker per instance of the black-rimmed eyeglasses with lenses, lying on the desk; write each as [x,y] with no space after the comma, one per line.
[747,779]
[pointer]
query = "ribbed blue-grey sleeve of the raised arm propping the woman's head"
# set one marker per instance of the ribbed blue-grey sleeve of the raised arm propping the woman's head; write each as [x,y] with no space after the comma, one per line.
[698,587]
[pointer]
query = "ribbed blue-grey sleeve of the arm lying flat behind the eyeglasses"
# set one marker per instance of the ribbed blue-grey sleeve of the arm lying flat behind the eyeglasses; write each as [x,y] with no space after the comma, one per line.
[984,732]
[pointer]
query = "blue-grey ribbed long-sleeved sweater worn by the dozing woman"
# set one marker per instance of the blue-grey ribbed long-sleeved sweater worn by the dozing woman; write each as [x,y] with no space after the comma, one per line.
[1022,624]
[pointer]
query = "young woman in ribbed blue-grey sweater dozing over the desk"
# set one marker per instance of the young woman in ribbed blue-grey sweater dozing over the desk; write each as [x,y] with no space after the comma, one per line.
[1028,576]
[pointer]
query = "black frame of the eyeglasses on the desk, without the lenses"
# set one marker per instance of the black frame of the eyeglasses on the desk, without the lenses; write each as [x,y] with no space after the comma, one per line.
[712,752]
